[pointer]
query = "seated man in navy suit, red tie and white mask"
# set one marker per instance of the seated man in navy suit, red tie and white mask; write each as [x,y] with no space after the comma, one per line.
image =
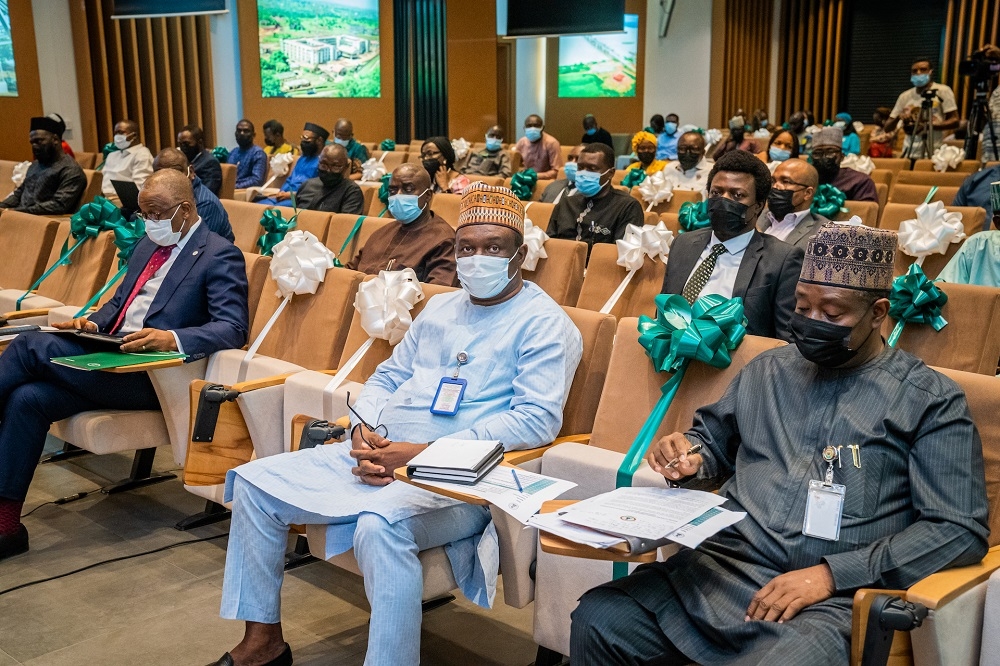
[185,290]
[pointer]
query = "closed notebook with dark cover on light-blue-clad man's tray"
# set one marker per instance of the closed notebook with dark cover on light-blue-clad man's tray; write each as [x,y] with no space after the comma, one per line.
[462,461]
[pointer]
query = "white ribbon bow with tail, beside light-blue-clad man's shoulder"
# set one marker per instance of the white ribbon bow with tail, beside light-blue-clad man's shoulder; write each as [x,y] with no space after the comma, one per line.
[384,306]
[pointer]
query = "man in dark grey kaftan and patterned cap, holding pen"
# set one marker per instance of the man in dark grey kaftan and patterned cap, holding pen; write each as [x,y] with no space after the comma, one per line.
[856,464]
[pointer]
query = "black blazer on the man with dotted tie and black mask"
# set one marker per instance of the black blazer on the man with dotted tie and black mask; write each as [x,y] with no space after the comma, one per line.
[765,281]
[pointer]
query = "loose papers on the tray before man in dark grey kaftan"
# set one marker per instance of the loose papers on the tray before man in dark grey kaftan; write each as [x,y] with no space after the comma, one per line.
[641,518]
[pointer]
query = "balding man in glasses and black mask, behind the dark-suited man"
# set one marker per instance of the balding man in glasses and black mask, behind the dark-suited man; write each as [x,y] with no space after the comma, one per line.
[787,216]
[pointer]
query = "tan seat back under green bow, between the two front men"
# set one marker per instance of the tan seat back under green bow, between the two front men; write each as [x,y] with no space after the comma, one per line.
[633,387]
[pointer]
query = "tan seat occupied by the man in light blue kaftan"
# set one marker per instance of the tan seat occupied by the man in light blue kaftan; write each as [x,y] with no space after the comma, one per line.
[517,544]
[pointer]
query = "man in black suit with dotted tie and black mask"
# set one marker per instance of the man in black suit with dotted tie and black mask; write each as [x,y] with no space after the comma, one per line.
[731,258]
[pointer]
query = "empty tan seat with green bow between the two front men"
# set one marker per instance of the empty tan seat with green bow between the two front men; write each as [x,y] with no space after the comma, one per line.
[560,581]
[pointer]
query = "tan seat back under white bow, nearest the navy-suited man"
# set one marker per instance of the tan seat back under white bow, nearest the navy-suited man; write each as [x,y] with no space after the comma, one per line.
[312,329]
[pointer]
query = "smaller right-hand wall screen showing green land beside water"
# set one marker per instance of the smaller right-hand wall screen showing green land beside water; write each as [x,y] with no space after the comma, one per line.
[600,65]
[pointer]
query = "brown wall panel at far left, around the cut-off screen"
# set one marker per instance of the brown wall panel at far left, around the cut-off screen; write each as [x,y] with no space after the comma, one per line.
[18,111]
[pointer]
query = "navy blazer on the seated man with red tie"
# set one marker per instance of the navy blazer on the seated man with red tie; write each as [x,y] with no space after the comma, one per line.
[203,297]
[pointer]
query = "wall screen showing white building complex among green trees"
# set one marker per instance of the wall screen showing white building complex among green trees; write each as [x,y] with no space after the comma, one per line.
[319,48]
